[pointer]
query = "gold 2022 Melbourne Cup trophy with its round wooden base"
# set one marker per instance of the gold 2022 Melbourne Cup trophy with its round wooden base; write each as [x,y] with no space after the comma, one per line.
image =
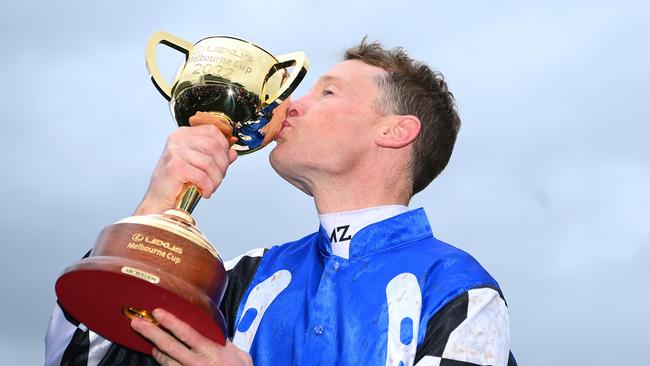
[163,261]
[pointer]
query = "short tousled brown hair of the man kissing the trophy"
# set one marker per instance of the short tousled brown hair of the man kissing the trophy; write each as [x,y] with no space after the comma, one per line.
[411,88]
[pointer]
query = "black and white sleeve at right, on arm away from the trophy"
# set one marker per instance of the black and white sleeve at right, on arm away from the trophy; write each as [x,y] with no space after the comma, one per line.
[471,330]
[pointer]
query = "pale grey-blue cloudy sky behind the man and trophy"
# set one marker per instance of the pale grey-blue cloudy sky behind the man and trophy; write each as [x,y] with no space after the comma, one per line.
[549,185]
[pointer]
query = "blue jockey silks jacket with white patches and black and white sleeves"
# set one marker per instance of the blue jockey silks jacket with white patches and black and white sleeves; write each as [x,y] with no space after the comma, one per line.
[401,298]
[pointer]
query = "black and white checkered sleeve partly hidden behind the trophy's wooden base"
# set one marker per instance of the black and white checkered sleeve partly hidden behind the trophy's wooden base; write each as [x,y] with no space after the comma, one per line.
[70,343]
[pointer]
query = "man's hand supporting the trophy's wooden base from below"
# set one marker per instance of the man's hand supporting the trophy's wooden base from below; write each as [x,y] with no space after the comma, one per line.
[185,346]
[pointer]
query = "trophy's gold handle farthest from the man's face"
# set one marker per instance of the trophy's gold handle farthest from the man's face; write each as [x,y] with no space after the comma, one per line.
[169,40]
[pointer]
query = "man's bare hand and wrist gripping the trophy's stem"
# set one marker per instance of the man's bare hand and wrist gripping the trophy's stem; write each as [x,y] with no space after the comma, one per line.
[199,154]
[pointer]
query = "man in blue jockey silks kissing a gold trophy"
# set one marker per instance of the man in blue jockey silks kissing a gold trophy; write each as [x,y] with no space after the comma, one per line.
[372,286]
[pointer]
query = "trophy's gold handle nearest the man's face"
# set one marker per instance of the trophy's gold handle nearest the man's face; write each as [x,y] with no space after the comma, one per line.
[301,65]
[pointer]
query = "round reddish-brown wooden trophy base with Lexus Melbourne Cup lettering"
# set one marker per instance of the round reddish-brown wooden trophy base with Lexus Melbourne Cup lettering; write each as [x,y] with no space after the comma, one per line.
[140,264]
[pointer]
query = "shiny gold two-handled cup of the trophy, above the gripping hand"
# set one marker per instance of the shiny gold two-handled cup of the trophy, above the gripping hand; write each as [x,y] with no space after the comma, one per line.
[235,79]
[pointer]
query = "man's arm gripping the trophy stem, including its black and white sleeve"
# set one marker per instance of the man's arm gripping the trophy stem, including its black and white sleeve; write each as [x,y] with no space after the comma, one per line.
[200,155]
